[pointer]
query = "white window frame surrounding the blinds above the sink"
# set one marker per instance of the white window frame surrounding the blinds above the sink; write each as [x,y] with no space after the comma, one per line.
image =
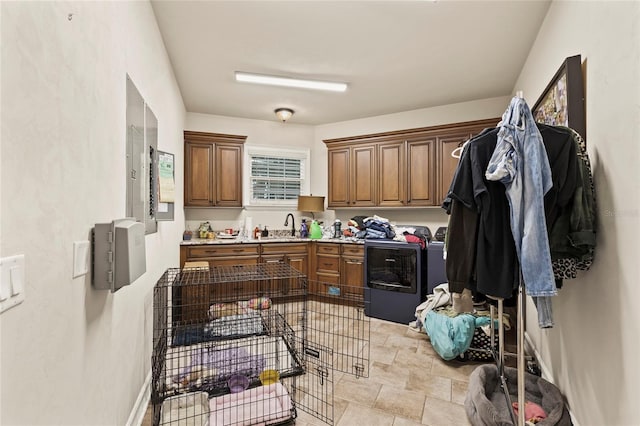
[250,151]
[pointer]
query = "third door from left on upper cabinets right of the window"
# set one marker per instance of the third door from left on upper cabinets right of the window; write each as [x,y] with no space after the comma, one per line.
[391,174]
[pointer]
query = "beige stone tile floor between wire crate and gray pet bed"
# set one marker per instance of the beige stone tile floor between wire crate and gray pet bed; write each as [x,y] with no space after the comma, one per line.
[408,384]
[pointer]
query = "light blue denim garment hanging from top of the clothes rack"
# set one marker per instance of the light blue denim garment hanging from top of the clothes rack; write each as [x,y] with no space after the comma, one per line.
[520,162]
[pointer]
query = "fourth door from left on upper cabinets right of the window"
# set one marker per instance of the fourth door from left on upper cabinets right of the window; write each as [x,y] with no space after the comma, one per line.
[421,172]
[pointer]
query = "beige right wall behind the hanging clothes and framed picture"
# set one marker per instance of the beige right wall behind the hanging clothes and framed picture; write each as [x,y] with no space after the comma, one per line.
[592,352]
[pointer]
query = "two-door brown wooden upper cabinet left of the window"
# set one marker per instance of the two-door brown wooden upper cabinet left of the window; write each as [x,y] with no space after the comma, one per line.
[213,169]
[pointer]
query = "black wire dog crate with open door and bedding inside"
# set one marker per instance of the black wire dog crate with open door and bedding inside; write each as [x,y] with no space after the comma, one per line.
[244,345]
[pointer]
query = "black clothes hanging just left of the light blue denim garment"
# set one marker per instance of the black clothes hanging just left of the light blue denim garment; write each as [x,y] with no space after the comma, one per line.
[486,262]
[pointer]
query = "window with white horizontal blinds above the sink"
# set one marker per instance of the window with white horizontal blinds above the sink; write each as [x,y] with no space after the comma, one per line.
[275,178]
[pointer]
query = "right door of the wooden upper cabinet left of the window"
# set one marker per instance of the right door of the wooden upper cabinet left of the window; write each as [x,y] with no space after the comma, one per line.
[228,175]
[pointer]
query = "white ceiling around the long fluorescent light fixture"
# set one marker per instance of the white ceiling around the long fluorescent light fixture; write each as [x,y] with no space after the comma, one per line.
[395,55]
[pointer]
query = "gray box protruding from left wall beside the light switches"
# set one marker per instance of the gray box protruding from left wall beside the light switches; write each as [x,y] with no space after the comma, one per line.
[119,256]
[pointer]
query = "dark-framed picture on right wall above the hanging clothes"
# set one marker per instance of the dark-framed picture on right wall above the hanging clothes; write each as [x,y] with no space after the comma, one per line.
[562,102]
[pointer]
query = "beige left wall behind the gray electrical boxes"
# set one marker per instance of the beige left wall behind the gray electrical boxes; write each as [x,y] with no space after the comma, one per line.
[71,354]
